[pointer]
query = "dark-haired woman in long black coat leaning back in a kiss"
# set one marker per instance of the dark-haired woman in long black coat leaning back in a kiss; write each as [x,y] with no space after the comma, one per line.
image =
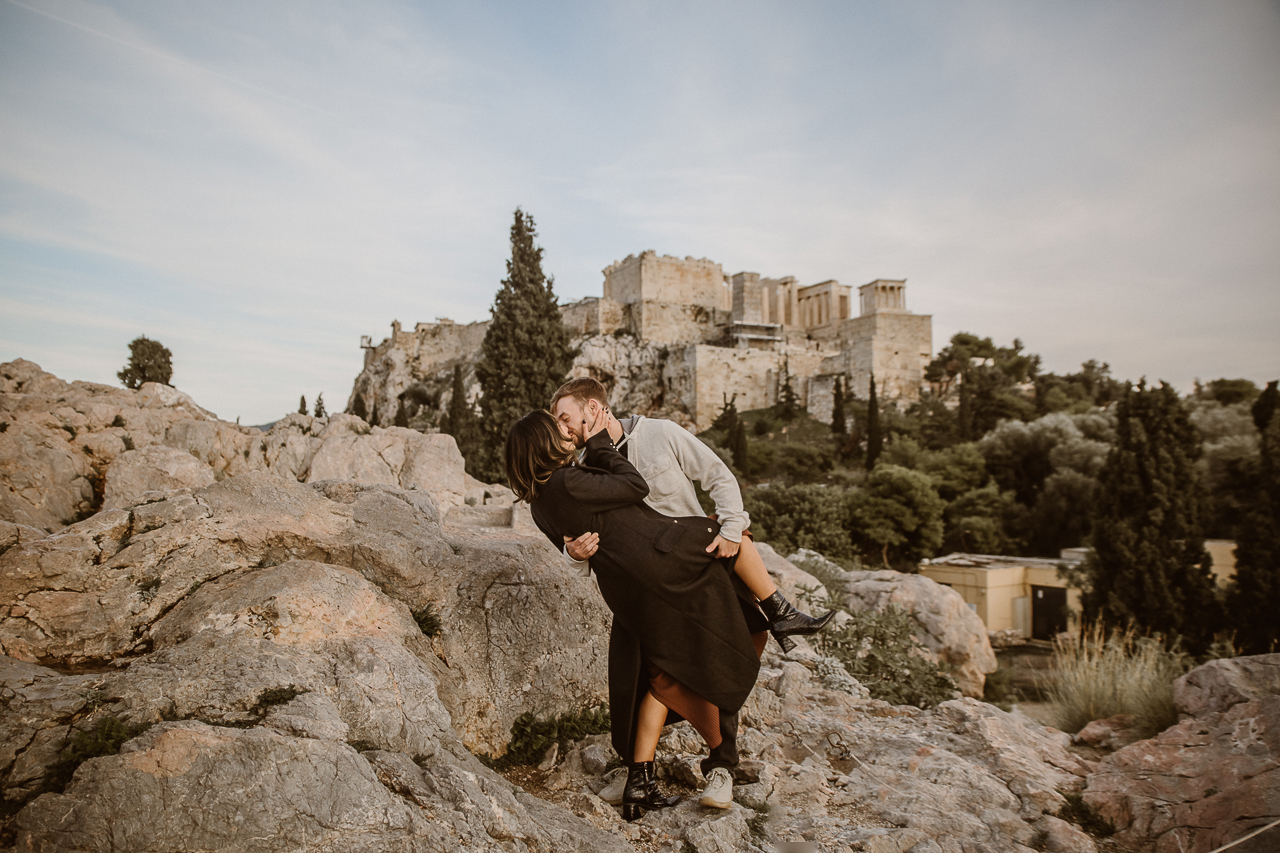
[679,618]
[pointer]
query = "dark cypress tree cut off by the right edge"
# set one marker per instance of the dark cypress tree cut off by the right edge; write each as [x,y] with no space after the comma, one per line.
[1254,596]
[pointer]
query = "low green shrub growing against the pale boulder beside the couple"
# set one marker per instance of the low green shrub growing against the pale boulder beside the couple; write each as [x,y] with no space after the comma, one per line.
[880,650]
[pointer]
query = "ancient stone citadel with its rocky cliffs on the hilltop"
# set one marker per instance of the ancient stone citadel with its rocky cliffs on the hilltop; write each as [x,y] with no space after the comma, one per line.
[675,337]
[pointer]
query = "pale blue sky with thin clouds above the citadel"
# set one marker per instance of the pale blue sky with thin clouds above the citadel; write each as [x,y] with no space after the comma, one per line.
[259,184]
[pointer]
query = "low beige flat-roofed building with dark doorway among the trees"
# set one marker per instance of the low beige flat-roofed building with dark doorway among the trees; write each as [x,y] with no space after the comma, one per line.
[1022,594]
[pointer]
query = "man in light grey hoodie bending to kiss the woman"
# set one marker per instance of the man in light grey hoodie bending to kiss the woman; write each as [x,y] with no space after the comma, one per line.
[671,459]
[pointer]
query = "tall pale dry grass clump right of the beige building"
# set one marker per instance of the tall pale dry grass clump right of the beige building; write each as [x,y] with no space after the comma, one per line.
[1100,677]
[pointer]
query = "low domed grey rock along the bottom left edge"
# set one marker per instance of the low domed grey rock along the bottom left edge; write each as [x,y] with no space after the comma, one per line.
[188,786]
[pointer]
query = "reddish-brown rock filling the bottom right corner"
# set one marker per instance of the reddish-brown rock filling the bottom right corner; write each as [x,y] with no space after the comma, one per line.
[1209,781]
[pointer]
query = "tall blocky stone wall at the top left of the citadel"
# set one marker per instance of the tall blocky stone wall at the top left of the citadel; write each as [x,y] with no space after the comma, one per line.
[662,279]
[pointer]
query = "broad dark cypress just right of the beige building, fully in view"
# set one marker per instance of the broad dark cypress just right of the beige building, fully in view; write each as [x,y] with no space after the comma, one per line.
[1149,567]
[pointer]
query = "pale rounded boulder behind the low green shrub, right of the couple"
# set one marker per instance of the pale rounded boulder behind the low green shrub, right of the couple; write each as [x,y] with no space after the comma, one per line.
[948,628]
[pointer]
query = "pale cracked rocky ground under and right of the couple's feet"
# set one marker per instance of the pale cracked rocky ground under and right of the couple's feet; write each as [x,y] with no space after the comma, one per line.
[851,774]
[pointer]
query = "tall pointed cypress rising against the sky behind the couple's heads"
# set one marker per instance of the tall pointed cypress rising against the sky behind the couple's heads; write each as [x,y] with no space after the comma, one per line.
[525,354]
